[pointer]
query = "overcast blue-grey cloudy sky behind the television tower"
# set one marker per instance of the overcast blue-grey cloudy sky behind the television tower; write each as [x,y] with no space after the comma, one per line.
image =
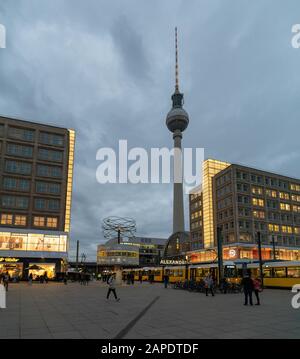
[106,69]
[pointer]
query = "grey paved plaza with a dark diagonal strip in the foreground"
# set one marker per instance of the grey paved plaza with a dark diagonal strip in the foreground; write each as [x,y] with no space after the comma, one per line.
[145,311]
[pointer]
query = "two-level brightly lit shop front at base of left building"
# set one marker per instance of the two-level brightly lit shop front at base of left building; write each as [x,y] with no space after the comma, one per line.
[36,252]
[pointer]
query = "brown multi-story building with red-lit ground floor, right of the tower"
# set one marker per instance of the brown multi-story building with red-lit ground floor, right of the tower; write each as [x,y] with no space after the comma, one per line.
[246,201]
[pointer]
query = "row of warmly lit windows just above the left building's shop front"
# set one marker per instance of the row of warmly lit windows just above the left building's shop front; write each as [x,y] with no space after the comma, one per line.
[21,220]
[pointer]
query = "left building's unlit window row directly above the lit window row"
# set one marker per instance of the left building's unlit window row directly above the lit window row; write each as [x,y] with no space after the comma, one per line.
[20,202]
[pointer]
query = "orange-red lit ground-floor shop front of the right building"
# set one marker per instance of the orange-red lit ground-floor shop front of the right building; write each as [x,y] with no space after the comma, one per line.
[240,252]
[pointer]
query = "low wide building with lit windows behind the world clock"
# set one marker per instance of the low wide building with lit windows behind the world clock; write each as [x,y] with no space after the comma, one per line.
[136,251]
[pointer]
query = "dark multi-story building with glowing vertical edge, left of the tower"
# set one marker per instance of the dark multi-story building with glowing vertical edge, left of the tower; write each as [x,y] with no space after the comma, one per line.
[36,172]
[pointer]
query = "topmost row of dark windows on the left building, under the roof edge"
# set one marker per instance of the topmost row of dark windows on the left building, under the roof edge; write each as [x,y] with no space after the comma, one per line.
[28,135]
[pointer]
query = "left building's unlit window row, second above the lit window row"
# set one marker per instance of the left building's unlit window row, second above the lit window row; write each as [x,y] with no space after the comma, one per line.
[19,184]
